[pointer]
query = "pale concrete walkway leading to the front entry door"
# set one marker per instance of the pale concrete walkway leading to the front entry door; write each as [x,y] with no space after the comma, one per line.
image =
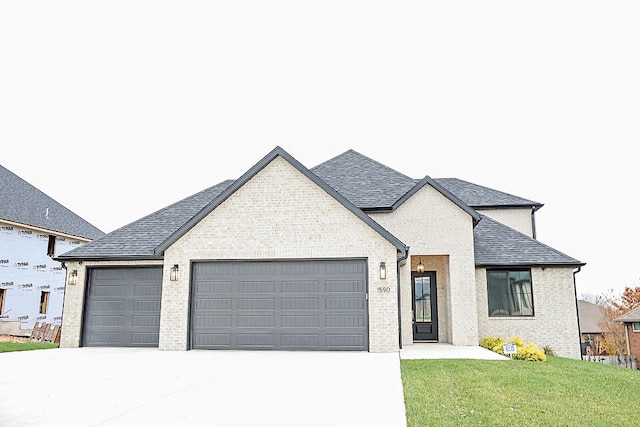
[448,351]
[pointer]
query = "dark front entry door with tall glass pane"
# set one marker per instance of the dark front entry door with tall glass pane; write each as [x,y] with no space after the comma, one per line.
[425,308]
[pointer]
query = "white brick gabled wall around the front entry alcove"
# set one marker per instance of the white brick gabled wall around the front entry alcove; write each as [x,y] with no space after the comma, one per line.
[431,224]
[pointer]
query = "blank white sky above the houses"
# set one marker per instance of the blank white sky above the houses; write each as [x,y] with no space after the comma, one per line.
[117,109]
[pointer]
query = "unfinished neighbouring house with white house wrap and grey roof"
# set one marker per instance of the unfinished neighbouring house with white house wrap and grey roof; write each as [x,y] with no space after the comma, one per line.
[34,228]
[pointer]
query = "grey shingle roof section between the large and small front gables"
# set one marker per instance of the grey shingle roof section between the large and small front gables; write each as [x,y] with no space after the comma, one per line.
[363,181]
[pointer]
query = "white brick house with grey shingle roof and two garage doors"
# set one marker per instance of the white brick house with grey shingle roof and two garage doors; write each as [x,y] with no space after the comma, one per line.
[347,255]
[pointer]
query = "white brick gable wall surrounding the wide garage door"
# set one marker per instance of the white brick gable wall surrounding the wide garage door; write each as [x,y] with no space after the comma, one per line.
[281,214]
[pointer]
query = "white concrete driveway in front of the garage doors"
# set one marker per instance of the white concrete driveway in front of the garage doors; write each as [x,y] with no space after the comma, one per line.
[130,387]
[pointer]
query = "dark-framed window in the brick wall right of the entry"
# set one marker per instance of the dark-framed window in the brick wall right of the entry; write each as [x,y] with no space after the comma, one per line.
[510,293]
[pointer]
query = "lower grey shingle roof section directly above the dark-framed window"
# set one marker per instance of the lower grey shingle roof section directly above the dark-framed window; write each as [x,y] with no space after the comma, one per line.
[495,244]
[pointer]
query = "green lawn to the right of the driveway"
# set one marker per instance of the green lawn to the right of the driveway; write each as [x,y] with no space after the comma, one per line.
[560,392]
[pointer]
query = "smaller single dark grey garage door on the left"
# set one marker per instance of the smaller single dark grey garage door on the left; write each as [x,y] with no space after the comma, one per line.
[123,307]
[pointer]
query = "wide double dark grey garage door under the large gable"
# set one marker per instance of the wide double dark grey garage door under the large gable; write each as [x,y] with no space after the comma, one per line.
[286,305]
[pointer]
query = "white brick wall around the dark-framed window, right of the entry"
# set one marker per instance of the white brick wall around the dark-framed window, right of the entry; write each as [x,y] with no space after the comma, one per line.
[555,321]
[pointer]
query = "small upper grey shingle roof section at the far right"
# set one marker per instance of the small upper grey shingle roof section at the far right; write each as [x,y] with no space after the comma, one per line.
[478,196]
